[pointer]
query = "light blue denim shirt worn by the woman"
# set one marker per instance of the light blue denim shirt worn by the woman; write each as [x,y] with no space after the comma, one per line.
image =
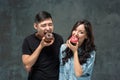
[67,70]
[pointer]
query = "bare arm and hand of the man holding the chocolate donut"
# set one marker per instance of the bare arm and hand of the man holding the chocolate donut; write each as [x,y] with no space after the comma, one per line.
[29,60]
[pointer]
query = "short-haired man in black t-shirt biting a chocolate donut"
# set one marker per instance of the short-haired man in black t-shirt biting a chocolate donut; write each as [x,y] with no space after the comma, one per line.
[41,59]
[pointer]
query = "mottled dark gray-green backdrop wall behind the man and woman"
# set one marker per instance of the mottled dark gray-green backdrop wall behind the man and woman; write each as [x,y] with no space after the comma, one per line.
[16,22]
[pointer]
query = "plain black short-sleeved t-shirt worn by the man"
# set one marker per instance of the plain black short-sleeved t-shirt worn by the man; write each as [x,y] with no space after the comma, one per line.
[47,64]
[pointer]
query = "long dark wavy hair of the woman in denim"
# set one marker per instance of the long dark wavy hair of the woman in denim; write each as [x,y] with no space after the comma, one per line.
[87,45]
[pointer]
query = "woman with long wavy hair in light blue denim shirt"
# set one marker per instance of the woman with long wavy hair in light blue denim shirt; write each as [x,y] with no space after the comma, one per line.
[77,60]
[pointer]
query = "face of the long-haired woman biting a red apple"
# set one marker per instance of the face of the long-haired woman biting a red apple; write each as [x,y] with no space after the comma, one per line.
[80,32]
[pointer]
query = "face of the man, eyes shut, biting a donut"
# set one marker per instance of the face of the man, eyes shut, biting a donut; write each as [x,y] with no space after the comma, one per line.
[44,26]
